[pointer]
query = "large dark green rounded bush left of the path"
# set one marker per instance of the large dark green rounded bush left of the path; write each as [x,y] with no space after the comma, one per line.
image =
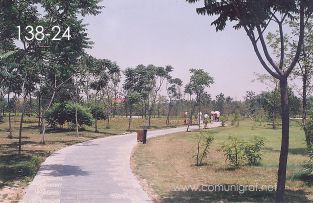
[60,113]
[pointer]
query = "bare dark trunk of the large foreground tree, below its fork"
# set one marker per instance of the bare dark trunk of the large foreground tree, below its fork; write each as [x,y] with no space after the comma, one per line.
[281,181]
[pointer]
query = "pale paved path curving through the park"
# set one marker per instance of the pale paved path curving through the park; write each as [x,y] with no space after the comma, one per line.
[96,171]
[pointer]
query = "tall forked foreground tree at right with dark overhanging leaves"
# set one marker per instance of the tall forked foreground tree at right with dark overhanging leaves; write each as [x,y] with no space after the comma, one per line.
[254,17]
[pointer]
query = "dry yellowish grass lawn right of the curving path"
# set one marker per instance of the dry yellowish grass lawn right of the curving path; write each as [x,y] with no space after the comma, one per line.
[166,167]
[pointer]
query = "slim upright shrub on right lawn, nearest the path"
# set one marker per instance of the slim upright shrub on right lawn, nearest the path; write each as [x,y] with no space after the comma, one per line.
[204,140]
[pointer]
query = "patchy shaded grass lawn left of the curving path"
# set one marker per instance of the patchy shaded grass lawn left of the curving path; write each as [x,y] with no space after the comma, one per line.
[17,171]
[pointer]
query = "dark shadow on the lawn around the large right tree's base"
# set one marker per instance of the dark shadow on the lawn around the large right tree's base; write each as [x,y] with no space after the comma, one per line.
[210,194]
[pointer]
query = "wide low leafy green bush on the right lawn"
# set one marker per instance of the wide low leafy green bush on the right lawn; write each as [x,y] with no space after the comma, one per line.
[240,153]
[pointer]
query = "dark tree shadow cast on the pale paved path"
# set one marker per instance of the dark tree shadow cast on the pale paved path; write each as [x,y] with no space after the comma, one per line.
[62,170]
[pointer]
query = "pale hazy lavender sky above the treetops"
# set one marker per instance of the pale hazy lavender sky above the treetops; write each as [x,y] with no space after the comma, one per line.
[169,32]
